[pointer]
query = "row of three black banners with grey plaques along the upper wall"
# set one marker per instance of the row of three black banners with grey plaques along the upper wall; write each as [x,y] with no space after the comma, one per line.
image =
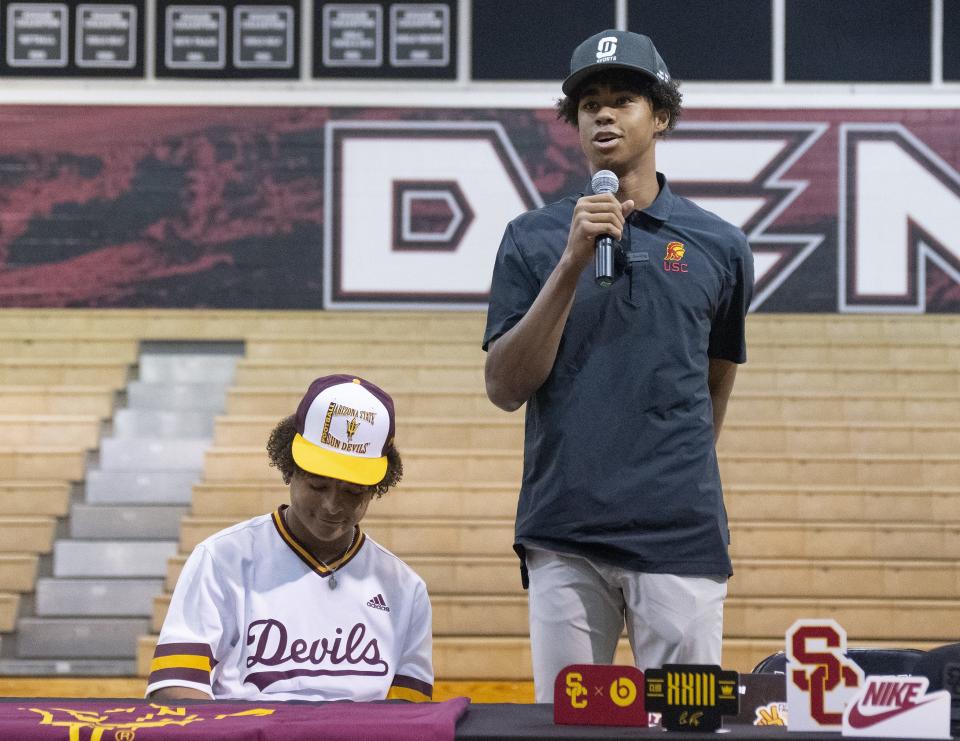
[259,39]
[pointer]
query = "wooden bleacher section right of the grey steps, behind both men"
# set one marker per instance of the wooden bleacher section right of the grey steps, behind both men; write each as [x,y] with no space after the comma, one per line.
[839,461]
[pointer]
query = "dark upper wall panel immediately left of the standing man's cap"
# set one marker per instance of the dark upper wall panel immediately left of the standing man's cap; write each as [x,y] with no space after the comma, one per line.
[533,39]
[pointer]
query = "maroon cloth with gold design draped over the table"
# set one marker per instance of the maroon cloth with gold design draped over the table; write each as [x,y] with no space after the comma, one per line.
[119,720]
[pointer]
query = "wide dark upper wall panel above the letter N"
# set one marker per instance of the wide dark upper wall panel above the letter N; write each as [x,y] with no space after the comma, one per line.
[852,41]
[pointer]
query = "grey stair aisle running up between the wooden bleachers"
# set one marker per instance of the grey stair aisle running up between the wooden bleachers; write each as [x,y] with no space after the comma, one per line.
[105,575]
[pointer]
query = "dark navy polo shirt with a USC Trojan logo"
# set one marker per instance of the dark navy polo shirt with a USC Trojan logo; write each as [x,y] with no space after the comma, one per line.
[619,459]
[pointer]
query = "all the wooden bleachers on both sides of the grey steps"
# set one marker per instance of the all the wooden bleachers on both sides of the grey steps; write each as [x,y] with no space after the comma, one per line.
[839,460]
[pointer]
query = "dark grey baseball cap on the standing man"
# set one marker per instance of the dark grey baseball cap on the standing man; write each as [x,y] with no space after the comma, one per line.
[612,49]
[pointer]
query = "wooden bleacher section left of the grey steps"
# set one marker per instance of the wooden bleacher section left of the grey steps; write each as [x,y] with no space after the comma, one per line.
[56,388]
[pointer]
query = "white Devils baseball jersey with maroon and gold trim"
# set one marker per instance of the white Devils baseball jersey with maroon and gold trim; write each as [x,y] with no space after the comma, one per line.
[253,617]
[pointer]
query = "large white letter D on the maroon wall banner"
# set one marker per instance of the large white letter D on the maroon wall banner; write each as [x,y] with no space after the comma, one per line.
[415,211]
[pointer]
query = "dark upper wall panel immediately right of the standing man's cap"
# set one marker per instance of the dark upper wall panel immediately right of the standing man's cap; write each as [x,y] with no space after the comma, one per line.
[729,41]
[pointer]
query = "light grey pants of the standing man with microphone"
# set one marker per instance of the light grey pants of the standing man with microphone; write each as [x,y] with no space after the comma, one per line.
[577,612]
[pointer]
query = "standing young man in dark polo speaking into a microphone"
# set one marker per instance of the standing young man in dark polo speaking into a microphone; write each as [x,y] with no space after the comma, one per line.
[621,514]
